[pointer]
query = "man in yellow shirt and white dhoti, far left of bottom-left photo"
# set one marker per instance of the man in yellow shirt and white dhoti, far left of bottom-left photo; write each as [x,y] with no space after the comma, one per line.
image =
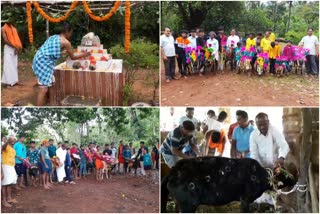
[9,176]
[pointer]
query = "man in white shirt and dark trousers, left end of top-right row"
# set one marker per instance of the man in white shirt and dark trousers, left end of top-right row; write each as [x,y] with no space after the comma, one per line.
[168,54]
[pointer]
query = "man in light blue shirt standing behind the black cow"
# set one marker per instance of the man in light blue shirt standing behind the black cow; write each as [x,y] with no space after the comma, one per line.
[241,135]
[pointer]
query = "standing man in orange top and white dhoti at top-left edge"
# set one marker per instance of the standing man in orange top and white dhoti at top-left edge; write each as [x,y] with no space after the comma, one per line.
[12,47]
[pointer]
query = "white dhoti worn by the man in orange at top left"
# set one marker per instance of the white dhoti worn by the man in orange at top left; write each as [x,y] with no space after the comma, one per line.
[10,66]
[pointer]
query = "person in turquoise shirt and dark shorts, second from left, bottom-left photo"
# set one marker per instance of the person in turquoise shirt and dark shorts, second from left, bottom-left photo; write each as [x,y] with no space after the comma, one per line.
[21,154]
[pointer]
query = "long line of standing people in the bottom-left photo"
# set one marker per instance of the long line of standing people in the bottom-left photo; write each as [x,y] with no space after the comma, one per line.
[23,165]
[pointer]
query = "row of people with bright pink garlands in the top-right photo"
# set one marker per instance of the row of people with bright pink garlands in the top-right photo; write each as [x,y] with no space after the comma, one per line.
[194,50]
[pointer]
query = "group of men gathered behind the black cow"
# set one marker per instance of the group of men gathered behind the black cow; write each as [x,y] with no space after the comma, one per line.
[249,139]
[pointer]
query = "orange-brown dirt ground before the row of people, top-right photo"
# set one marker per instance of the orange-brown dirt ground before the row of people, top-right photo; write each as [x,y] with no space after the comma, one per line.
[230,89]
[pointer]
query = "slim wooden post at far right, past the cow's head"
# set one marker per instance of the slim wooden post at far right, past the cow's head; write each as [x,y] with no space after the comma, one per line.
[305,153]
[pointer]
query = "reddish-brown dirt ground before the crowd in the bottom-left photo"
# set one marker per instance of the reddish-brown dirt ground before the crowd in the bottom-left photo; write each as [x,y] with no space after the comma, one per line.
[120,194]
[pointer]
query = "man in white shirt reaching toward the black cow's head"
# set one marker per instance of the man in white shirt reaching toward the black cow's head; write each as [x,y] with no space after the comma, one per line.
[269,147]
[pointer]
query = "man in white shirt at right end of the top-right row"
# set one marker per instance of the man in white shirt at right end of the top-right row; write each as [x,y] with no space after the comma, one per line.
[311,42]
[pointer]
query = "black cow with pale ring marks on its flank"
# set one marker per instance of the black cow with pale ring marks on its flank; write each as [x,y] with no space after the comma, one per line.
[215,181]
